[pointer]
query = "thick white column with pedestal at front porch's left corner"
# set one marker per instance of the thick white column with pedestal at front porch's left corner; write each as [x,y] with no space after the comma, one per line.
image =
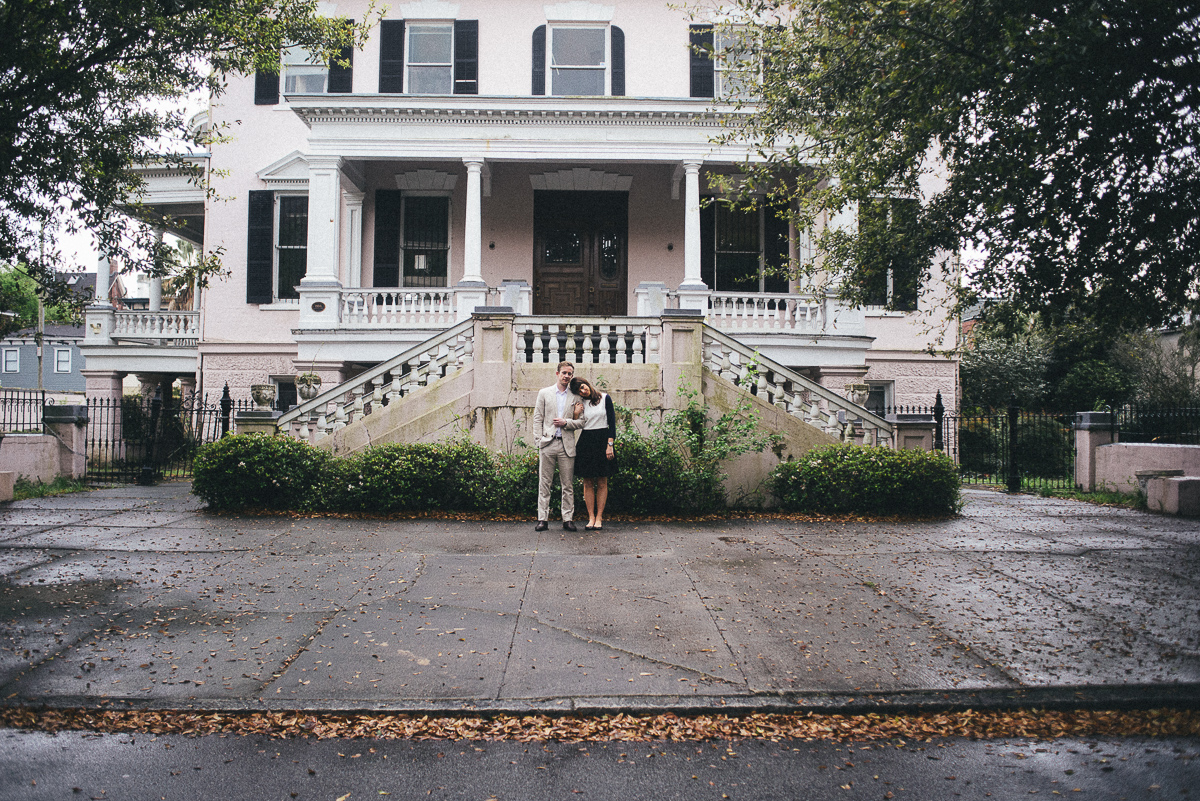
[321,291]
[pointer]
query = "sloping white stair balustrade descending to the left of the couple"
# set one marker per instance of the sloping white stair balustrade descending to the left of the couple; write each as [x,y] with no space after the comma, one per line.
[433,360]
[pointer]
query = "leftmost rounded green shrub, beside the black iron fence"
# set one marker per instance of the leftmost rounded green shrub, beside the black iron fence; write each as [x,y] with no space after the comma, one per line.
[256,471]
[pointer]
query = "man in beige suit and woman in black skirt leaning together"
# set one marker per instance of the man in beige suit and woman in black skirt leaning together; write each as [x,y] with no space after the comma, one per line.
[574,405]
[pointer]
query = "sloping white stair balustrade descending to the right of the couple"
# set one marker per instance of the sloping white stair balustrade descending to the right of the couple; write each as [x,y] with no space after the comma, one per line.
[790,392]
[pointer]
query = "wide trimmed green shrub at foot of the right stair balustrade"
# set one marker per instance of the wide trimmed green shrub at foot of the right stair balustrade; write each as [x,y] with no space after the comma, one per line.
[853,479]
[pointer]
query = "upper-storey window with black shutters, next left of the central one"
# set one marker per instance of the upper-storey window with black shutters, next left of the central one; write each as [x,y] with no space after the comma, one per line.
[429,57]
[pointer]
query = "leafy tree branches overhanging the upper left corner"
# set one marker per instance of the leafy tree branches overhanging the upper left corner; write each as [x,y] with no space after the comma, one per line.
[92,88]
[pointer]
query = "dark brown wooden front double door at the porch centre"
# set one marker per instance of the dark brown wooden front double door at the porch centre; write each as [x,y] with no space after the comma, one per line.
[580,250]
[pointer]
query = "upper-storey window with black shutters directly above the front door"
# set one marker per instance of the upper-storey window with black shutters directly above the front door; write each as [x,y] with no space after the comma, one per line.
[580,58]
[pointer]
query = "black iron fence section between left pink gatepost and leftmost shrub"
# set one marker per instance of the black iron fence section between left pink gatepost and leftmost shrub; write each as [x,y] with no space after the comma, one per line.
[136,439]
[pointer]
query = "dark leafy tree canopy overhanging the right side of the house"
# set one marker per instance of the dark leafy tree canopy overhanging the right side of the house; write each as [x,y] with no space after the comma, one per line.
[1067,134]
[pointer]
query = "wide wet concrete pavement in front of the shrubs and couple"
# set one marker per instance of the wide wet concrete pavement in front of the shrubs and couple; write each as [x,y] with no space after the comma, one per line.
[137,597]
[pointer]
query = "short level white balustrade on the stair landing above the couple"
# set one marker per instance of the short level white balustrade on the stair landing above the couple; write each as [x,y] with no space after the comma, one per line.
[587,341]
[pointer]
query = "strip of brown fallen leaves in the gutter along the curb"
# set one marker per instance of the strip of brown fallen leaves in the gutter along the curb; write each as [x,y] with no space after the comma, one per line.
[632,728]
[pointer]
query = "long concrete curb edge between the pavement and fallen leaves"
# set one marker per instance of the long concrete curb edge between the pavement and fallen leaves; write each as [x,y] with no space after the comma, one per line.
[1127,697]
